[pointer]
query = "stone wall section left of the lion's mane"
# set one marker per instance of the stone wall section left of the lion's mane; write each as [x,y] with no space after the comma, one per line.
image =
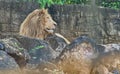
[12,13]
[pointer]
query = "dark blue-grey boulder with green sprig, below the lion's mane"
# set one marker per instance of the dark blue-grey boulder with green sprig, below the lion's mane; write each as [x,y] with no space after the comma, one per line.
[39,50]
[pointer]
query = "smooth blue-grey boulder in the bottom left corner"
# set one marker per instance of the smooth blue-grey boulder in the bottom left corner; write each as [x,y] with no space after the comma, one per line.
[8,65]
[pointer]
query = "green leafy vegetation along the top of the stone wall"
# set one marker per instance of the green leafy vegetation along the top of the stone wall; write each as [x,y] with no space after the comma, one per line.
[105,3]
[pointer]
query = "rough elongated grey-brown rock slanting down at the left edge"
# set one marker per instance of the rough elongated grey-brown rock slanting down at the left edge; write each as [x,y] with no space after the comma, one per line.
[14,49]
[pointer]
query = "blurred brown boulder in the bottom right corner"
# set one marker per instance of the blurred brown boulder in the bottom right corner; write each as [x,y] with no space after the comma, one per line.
[107,63]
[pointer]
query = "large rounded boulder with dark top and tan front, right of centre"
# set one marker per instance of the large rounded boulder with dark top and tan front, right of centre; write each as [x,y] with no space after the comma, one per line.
[76,58]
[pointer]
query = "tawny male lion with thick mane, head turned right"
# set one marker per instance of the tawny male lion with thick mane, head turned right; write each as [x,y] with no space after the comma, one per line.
[38,24]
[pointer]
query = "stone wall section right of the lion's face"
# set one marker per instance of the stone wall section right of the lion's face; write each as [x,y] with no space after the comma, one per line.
[101,24]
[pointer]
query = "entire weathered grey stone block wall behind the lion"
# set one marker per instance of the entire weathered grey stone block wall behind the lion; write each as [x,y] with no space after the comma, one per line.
[101,24]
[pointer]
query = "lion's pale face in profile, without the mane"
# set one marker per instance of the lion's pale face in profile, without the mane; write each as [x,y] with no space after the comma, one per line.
[48,24]
